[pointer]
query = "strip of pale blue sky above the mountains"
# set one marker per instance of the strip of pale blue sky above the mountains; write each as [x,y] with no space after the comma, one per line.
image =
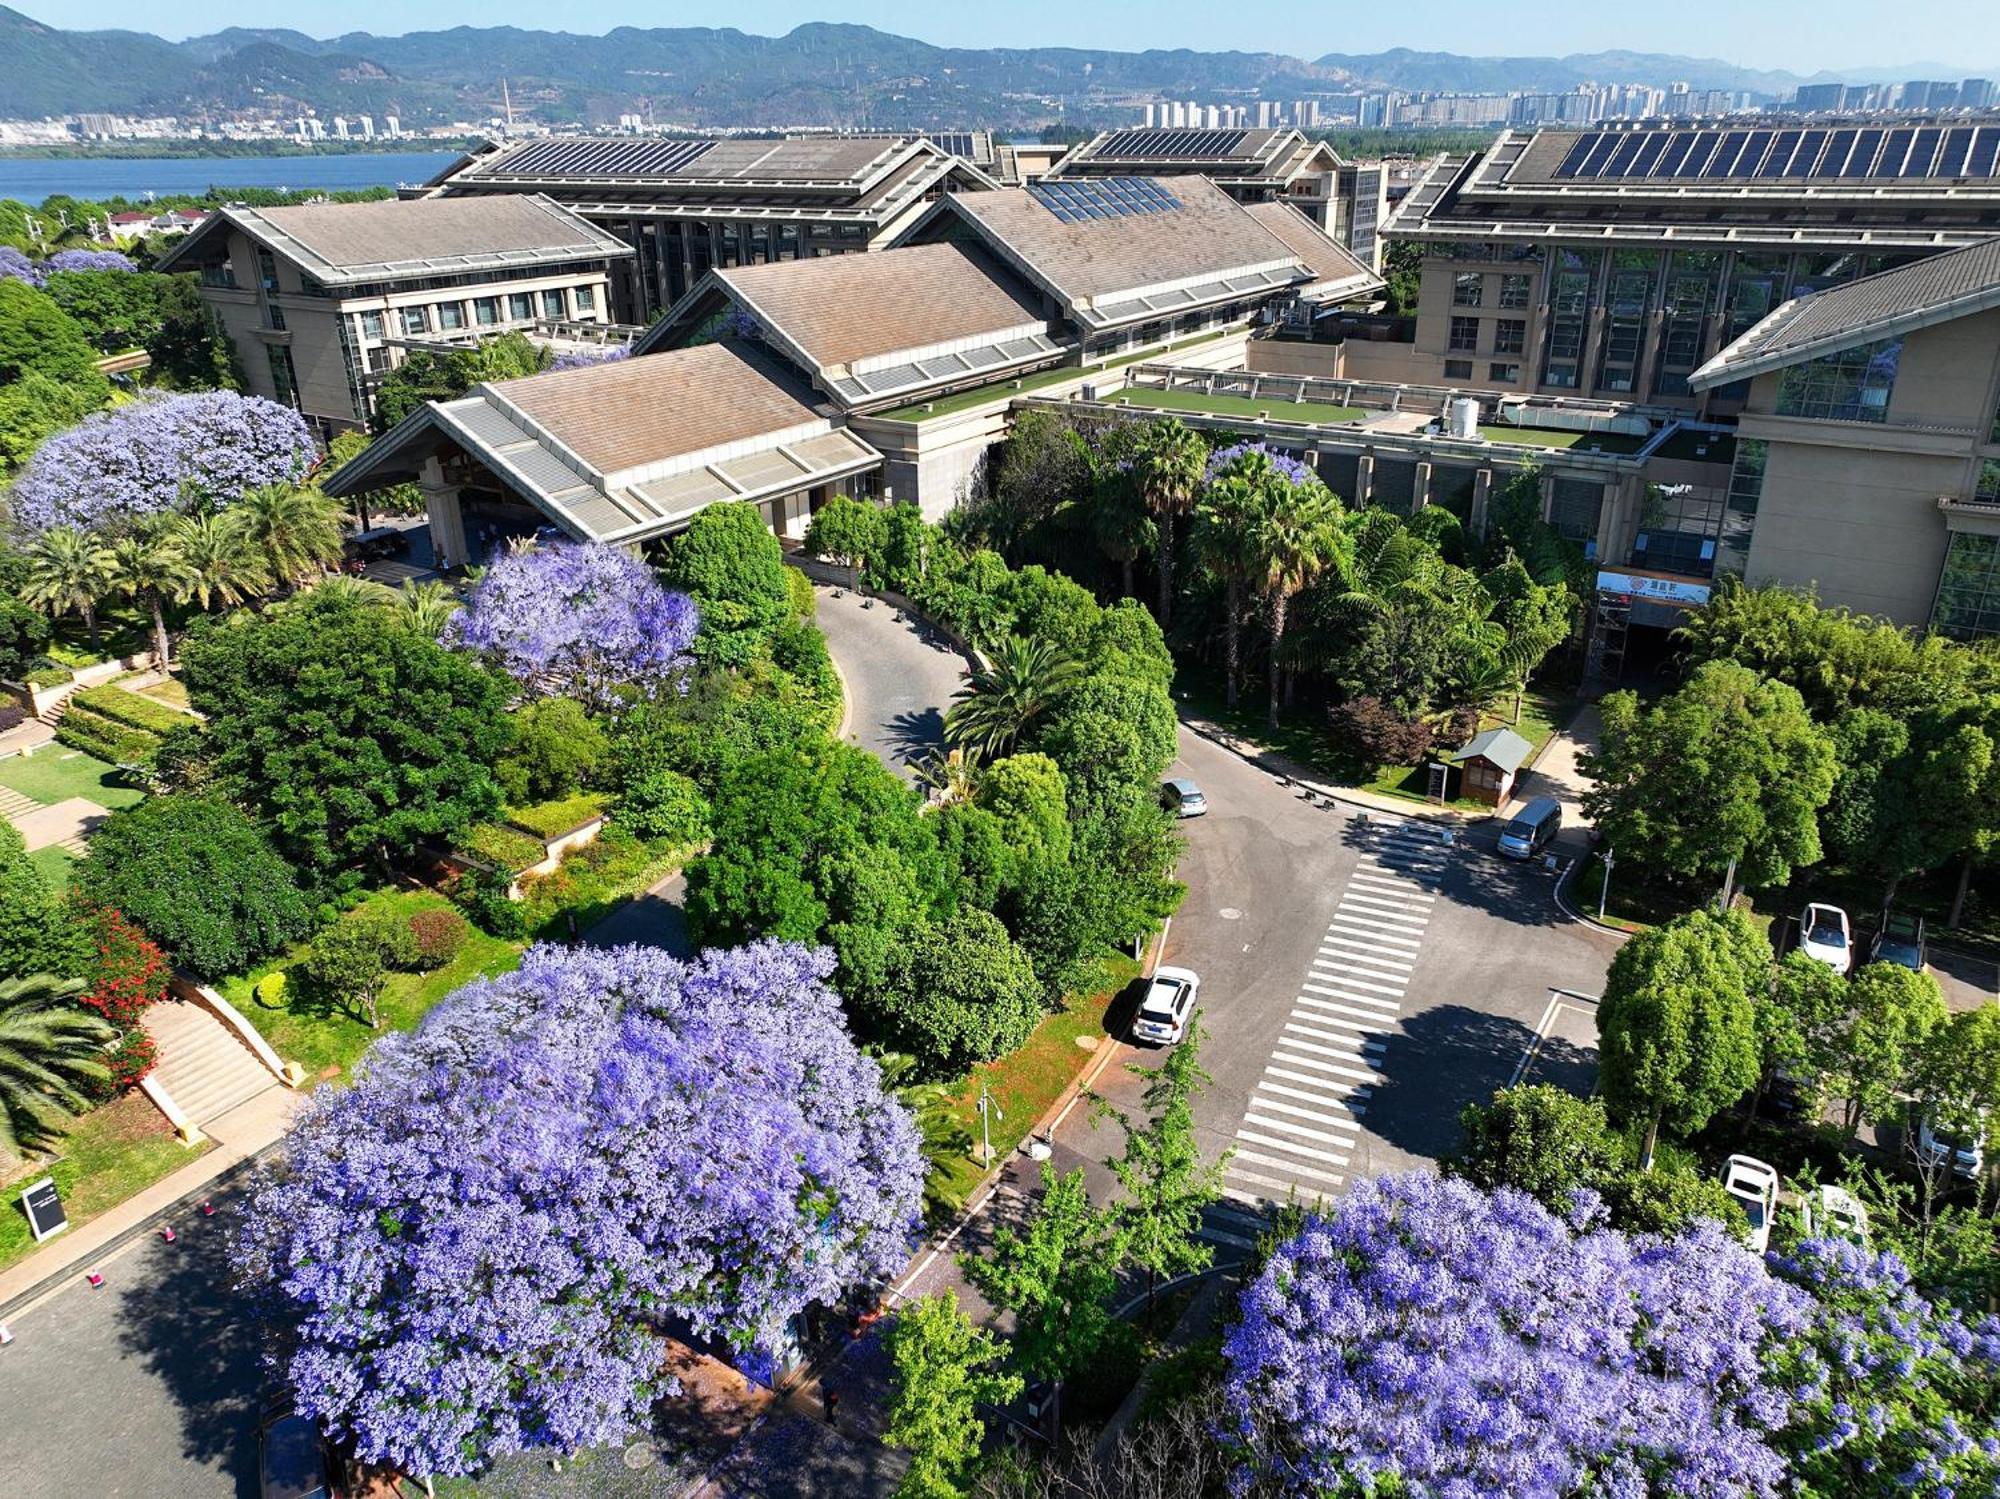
[1799,35]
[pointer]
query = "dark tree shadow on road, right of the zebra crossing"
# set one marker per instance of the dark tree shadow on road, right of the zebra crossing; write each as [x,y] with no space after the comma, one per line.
[1453,1056]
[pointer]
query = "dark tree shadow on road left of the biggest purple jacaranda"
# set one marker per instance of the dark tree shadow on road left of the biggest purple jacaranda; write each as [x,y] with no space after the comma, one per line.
[189,1326]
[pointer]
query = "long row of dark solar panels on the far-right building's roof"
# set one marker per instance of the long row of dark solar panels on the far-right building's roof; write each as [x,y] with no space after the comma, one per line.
[1815,155]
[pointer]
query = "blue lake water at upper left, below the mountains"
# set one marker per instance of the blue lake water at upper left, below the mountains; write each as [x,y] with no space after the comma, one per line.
[33,181]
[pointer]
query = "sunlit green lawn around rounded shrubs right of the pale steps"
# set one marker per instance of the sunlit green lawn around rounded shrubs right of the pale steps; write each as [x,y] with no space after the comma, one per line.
[327,1040]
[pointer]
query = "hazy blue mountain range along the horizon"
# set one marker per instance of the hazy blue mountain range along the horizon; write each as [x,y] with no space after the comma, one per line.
[823,75]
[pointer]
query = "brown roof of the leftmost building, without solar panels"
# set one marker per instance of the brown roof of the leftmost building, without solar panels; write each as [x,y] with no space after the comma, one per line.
[411,237]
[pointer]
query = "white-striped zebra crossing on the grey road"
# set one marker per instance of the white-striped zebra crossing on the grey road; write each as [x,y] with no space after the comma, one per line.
[1301,1124]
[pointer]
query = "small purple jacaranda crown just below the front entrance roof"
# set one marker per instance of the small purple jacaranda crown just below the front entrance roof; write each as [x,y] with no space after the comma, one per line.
[579,621]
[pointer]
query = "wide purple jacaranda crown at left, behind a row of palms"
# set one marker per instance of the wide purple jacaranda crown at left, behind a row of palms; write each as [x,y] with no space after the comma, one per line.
[179,453]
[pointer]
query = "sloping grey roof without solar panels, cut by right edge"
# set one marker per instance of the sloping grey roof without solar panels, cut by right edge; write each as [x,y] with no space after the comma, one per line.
[1937,289]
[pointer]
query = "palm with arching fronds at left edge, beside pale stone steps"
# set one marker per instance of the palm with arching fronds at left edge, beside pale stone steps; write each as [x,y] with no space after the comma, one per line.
[49,1050]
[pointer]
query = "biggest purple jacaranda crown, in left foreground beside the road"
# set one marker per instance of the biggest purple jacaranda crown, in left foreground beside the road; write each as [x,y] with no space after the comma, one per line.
[479,1242]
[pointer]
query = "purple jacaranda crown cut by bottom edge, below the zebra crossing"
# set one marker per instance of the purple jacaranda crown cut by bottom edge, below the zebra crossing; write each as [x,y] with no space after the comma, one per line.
[1475,1344]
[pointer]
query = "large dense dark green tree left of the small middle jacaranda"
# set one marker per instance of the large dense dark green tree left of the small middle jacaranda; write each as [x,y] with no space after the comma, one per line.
[355,739]
